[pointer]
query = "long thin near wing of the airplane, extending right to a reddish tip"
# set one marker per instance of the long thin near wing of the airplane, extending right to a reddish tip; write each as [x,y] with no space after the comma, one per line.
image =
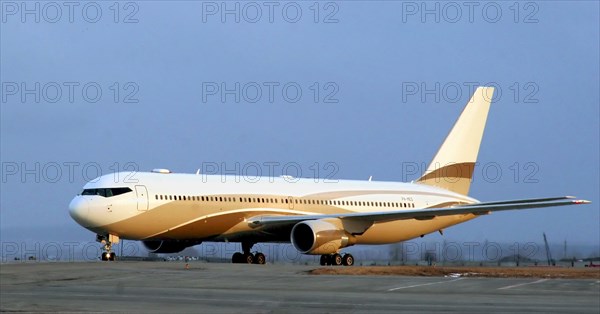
[421,214]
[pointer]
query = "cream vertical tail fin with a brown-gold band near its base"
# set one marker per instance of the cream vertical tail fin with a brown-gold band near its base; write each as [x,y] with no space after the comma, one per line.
[452,167]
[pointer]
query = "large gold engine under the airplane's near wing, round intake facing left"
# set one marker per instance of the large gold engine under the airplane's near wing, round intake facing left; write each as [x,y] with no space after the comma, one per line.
[320,237]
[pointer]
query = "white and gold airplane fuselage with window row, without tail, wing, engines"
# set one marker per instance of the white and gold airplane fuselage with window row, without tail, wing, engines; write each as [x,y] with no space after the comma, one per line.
[171,206]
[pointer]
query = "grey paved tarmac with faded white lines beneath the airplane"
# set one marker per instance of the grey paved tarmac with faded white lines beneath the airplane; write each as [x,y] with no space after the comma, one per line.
[167,287]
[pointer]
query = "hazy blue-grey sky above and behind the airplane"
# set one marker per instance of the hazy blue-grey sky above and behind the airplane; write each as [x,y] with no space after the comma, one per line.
[371,88]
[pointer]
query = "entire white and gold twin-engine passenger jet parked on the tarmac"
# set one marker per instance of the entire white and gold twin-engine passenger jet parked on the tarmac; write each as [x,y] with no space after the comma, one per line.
[170,211]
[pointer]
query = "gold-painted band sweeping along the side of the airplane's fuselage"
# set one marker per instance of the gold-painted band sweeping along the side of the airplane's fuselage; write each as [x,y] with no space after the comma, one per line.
[219,220]
